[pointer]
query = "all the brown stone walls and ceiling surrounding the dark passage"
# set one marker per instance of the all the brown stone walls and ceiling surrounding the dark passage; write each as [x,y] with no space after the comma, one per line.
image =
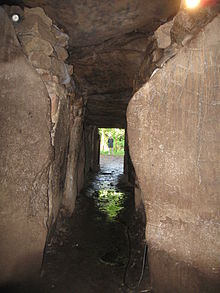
[68,67]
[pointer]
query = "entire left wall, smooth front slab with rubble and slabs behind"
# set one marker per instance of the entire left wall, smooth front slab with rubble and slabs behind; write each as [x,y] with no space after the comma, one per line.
[41,136]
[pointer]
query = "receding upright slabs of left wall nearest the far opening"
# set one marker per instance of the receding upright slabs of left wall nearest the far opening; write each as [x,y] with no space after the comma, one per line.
[83,158]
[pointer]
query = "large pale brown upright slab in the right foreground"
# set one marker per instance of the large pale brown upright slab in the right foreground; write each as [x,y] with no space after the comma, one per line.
[173,130]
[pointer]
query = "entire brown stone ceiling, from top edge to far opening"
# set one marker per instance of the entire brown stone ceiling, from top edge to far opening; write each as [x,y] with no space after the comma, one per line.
[108,41]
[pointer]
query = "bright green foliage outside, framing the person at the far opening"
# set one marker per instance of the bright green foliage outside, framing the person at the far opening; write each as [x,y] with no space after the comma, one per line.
[118,136]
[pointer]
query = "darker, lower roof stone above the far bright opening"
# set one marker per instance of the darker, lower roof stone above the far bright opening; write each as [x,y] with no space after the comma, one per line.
[107,78]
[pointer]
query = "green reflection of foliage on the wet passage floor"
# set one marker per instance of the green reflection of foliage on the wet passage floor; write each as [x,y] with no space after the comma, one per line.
[110,202]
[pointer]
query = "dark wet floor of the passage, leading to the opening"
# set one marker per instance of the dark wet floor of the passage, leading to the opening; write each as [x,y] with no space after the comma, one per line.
[101,248]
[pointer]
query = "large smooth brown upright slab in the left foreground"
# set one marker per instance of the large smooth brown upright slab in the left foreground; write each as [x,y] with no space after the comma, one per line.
[24,160]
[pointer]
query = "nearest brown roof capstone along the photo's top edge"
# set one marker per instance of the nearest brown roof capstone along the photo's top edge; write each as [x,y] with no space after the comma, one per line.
[94,22]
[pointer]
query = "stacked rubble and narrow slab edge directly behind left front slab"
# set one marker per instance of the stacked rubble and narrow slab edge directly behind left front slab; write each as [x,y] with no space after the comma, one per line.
[44,45]
